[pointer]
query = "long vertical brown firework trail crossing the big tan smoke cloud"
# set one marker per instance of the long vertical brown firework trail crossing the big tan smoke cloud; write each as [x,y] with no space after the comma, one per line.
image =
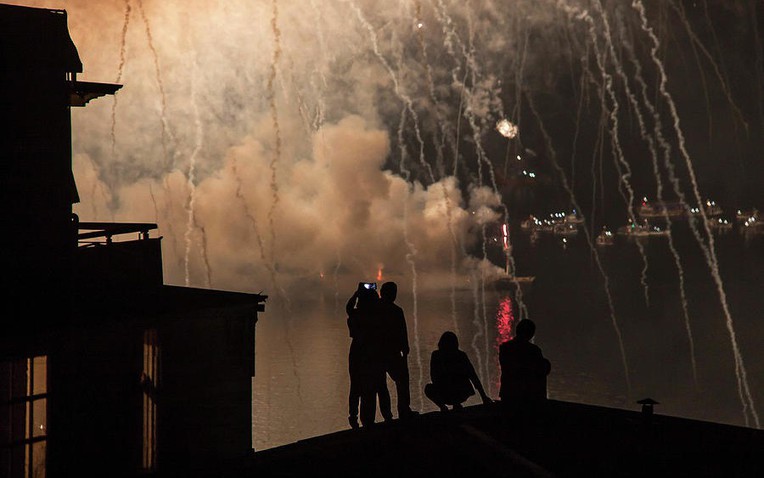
[277,130]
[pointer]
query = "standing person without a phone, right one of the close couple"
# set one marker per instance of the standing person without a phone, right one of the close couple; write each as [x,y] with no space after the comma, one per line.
[395,349]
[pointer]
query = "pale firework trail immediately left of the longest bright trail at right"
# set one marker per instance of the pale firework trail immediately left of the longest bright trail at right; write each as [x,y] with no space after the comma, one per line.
[659,188]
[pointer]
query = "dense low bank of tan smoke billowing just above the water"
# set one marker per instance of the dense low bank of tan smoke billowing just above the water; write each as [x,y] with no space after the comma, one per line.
[336,202]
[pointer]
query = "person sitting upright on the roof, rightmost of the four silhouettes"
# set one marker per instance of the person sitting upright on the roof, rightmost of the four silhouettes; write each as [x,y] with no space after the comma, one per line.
[523,370]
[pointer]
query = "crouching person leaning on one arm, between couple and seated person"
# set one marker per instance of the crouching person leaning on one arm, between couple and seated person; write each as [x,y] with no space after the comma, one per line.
[452,374]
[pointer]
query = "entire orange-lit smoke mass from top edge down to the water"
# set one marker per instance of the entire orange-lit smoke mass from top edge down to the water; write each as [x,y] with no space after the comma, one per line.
[340,192]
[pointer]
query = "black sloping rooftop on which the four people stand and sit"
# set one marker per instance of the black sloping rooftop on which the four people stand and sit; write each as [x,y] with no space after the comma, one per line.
[566,440]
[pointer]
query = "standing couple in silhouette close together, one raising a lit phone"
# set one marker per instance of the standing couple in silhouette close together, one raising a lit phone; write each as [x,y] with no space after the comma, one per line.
[379,347]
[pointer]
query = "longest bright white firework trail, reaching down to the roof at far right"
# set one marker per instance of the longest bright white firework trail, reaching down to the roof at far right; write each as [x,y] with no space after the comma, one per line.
[741,374]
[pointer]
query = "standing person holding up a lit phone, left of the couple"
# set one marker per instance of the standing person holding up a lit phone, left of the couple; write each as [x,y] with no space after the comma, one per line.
[367,376]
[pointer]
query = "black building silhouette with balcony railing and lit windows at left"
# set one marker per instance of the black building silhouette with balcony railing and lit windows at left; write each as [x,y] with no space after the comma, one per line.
[103,368]
